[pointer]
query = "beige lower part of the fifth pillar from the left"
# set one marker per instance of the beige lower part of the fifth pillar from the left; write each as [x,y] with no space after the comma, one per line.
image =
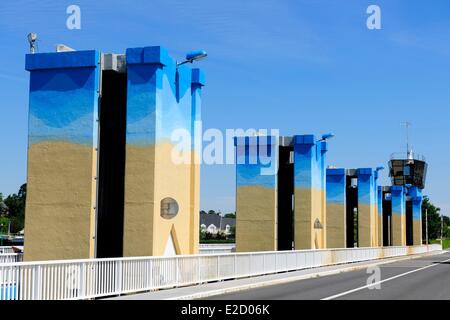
[336,225]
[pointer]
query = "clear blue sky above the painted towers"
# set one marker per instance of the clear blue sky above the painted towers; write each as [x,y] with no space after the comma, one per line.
[301,66]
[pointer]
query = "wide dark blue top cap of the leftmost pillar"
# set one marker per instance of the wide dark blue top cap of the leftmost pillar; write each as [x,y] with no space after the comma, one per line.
[60,60]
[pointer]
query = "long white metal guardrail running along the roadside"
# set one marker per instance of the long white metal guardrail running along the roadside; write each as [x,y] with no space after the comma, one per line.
[93,278]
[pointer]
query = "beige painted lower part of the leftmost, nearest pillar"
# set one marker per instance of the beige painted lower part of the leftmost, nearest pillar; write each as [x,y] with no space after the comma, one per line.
[60,201]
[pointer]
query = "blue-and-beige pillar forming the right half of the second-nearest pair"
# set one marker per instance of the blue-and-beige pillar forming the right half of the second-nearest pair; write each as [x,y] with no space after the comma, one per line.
[309,193]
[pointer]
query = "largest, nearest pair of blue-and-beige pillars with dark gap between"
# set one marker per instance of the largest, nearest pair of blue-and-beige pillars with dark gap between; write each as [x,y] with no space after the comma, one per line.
[101,180]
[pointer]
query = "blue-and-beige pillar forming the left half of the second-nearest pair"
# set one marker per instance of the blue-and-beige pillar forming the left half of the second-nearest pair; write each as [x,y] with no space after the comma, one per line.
[256,193]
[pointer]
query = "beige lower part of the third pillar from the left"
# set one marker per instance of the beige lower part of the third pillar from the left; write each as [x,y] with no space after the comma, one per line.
[256,223]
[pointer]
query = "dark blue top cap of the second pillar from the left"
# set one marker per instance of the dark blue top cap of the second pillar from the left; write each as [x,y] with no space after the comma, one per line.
[148,55]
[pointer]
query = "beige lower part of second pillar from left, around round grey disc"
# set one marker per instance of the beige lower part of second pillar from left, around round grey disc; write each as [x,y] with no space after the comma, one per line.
[151,176]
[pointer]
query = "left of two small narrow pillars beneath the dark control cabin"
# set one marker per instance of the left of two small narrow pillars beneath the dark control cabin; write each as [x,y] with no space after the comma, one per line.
[398,216]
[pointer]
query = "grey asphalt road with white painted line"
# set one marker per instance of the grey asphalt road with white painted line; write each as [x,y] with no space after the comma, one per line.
[426,278]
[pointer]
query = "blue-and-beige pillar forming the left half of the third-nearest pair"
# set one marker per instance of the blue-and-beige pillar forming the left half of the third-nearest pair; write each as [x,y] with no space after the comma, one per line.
[336,208]
